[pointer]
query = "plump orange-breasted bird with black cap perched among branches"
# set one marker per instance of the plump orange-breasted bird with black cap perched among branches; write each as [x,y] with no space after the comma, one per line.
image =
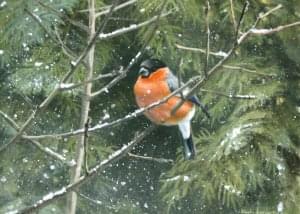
[156,81]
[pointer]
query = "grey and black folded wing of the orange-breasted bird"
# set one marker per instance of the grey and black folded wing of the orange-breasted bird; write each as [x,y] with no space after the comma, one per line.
[173,84]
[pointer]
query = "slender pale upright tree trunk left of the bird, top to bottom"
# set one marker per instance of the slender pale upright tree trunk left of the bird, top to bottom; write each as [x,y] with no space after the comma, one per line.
[85,105]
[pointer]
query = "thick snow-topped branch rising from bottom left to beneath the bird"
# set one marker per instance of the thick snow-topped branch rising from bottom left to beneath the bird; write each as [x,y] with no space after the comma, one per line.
[117,155]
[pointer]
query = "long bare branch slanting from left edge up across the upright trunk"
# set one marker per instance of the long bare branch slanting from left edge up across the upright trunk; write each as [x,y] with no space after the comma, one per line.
[52,95]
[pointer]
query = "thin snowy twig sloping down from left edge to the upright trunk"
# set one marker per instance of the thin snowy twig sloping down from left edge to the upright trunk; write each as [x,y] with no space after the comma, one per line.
[46,150]
